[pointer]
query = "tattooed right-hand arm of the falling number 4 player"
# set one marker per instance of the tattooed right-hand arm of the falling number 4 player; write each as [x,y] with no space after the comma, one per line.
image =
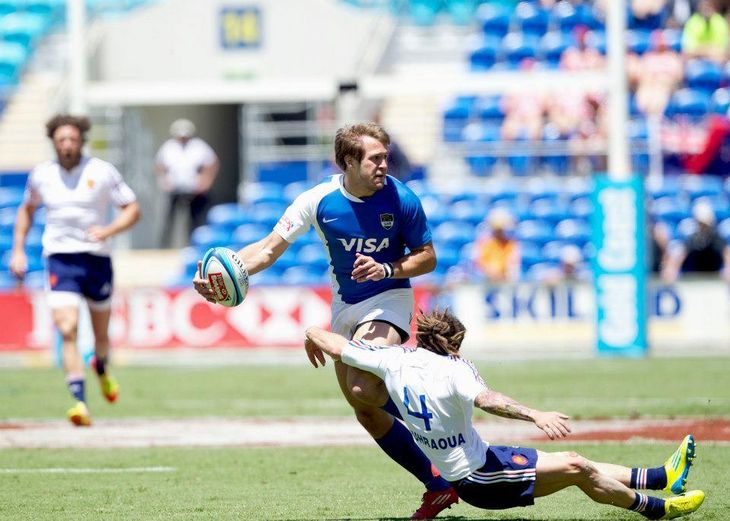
[554,424]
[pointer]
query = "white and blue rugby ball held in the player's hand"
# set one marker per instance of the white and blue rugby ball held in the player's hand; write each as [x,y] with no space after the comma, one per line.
[227,275]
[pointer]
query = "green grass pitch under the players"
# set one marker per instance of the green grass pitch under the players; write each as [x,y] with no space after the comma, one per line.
[329,482]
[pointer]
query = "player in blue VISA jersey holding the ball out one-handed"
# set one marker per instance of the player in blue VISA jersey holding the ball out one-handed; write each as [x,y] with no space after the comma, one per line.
[366,220]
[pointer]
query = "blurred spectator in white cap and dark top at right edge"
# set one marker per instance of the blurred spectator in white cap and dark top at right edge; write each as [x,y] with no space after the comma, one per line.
[704,250]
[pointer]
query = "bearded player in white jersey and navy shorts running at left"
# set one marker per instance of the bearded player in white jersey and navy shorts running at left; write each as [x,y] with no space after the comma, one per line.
[77,192]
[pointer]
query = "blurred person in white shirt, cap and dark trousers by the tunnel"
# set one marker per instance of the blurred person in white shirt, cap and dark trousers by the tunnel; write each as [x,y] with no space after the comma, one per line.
[186,167]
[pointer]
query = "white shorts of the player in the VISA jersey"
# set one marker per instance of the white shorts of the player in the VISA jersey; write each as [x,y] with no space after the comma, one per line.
[394,306]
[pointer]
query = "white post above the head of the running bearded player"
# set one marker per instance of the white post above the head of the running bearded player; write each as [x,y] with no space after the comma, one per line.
[76,24]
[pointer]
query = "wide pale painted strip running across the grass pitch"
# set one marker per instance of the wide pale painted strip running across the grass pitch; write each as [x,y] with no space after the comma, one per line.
[294,432]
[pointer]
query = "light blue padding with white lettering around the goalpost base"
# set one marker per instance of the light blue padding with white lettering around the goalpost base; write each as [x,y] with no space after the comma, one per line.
[618,233]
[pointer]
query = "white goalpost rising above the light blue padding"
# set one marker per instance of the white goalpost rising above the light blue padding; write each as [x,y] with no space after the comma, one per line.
[618,105]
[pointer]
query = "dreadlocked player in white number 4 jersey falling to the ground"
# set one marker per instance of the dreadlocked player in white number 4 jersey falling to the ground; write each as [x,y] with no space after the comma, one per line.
[436,391]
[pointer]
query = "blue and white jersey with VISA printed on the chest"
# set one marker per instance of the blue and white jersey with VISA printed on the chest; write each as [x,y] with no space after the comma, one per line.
[381,226]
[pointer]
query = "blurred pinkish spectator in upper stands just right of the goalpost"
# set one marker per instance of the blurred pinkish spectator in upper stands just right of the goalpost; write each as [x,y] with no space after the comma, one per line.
[655,75]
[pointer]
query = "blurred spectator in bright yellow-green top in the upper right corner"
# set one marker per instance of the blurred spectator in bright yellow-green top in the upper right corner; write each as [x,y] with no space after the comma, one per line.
[706,33]
